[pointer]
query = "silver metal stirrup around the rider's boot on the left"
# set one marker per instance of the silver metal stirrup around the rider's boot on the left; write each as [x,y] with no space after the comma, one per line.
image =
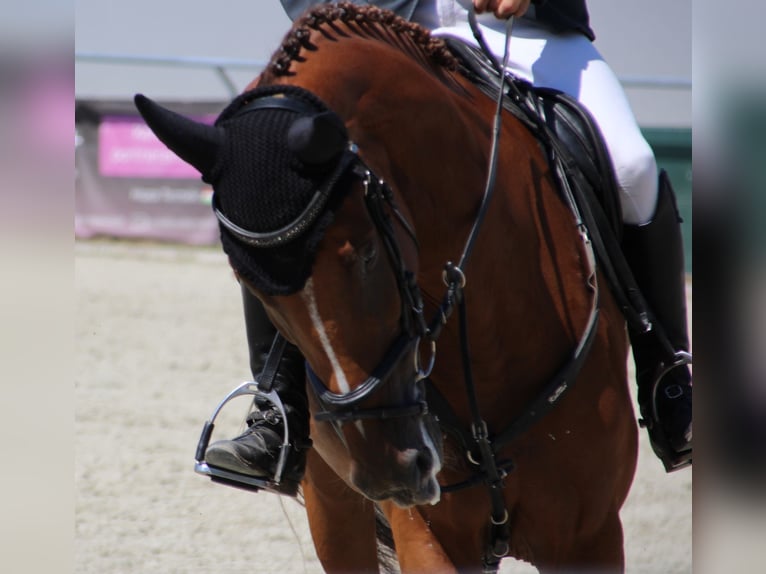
[277,484]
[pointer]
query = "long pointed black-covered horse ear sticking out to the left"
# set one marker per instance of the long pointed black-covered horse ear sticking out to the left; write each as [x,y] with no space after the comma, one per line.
[195,143]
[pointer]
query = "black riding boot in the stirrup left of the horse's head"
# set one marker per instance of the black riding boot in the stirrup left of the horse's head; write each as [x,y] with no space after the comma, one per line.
[256,451]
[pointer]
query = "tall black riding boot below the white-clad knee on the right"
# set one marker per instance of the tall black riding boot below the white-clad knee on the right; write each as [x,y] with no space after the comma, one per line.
[654,252]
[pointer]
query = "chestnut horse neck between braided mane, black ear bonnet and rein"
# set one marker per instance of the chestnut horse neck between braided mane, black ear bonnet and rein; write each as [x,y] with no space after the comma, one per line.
[409,118]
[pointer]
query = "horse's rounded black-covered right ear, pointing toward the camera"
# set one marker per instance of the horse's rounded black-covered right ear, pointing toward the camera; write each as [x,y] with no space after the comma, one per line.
[317,139]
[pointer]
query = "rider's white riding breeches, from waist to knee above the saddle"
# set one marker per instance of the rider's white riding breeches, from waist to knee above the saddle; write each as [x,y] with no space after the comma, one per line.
[570,63]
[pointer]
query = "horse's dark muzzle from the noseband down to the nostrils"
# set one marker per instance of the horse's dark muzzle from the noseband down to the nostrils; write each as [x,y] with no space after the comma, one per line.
[393,442]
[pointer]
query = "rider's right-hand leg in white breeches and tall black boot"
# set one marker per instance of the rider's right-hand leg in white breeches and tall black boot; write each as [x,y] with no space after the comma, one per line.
[652,236]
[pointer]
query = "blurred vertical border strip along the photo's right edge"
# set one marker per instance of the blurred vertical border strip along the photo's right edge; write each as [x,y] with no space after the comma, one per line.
[729,115]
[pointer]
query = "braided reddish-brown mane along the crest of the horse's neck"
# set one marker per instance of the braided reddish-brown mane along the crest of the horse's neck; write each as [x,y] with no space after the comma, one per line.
[369,21]
